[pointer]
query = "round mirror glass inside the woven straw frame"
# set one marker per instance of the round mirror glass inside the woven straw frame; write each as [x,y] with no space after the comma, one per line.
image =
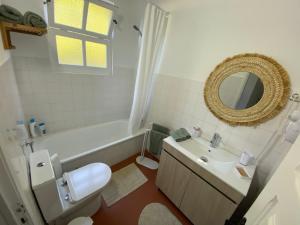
[241,90]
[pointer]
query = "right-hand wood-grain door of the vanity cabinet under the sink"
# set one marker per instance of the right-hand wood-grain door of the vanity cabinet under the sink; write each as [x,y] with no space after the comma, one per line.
[204,205]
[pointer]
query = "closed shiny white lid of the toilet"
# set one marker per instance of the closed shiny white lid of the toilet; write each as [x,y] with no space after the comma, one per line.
[86,180]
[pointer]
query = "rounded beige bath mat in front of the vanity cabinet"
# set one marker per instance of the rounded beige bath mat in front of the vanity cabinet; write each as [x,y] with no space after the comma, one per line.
[157,214]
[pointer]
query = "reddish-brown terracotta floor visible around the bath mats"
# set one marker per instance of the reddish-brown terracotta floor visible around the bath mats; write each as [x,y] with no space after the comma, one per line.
[127,210]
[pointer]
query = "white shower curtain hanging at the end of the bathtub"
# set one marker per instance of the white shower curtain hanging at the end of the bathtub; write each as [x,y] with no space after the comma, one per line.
[154,32]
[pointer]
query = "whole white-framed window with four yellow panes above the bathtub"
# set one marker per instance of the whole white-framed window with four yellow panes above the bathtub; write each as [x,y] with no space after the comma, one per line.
[81,35]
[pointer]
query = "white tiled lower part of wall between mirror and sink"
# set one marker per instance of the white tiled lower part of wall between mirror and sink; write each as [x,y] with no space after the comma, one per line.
[179,102]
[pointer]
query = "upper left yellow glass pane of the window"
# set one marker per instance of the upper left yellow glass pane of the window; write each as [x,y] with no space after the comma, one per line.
[69,12]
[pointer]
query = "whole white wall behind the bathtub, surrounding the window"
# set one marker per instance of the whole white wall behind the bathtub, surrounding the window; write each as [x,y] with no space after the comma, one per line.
[67,101]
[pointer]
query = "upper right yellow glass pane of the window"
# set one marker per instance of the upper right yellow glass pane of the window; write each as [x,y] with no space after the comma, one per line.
[98,19]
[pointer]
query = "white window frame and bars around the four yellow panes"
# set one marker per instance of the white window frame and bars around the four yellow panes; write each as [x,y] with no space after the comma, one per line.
[82,34]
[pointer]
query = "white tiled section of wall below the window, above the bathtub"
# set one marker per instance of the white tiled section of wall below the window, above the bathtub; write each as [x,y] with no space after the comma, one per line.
[66,101]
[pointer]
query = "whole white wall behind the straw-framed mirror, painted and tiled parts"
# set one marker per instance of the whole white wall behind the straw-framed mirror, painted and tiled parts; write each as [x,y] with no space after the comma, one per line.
[201,35]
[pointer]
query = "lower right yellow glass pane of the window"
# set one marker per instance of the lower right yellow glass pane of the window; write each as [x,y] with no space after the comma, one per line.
[96,54]
